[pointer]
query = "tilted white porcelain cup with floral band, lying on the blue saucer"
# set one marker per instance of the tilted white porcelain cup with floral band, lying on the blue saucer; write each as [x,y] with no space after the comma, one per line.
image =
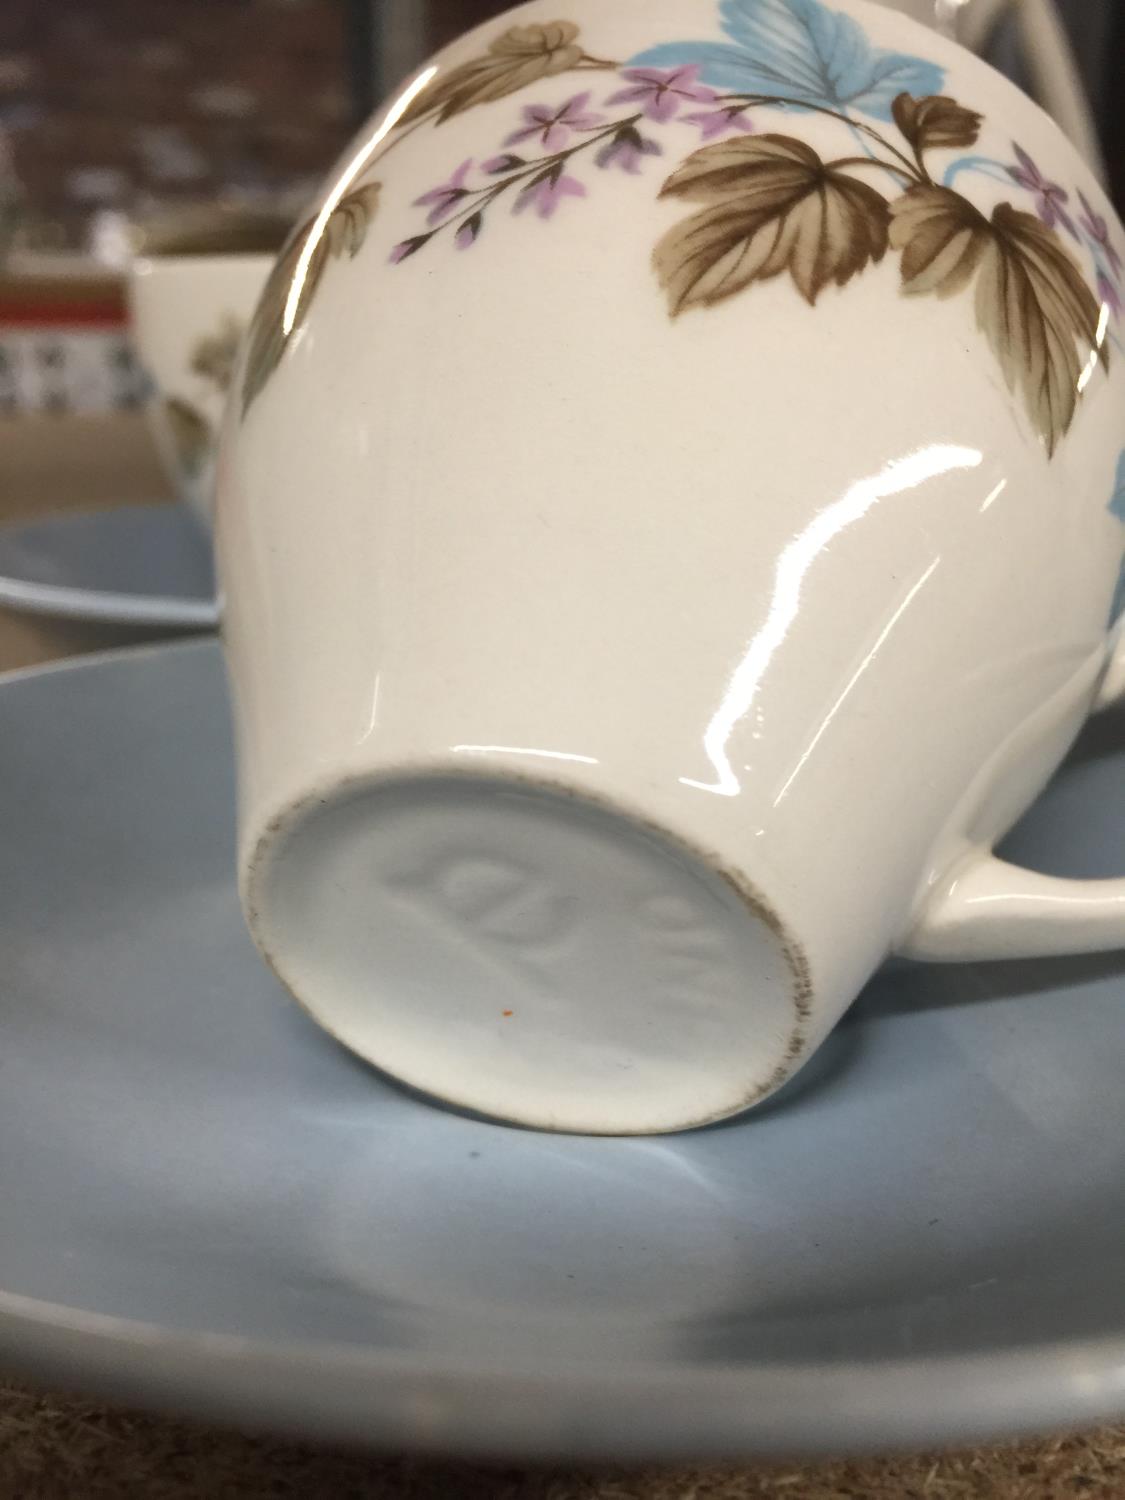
[671,520]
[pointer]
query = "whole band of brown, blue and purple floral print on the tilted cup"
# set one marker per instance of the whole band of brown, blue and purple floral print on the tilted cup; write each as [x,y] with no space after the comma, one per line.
[761,203]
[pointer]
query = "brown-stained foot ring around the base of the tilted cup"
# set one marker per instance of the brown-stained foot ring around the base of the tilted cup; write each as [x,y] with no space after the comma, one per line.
[290,817]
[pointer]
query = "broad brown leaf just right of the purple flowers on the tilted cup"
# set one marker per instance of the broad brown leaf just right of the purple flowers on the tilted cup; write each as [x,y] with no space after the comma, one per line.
[775,206]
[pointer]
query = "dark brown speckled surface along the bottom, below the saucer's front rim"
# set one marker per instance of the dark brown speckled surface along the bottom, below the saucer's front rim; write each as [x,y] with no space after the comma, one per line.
[56,1448]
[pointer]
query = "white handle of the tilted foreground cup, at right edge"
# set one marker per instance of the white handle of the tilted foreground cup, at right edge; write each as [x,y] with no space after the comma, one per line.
[986,908]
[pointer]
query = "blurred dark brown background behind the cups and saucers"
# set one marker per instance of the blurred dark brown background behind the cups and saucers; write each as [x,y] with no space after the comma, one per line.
[122,113]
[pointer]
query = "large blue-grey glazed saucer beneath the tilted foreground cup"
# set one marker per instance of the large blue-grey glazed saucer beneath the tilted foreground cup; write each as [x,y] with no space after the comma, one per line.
[212,1207]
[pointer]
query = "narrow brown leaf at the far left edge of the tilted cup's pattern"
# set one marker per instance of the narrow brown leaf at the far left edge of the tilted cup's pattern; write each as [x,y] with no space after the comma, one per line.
[346,230]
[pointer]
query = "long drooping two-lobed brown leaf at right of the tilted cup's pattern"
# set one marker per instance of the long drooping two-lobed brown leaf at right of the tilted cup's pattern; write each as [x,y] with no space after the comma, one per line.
[1033,301]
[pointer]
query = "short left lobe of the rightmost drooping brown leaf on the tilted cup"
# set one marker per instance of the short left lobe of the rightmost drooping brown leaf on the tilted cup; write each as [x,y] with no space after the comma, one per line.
[943,239]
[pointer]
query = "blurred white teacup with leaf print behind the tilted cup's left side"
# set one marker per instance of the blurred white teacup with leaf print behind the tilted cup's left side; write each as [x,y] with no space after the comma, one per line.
[193,289]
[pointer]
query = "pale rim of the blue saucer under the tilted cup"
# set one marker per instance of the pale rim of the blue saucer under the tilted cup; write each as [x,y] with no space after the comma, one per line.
[571,1409]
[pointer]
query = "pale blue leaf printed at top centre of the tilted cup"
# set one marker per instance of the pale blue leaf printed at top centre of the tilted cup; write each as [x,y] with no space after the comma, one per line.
[803,52]
